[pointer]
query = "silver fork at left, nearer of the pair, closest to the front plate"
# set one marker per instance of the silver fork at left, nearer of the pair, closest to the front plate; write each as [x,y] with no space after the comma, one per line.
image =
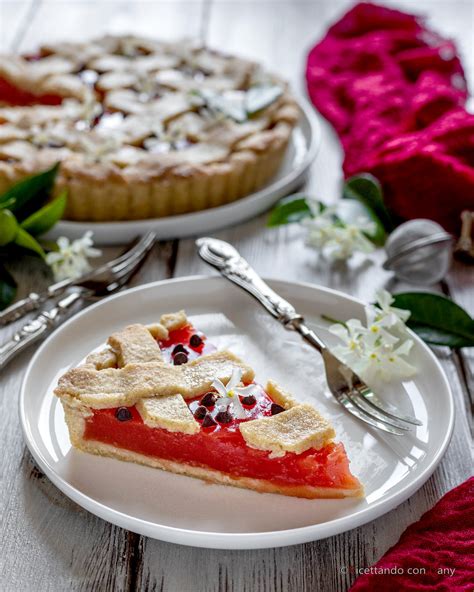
[98,285]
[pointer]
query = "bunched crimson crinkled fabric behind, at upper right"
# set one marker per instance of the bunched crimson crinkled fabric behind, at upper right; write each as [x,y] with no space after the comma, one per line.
[395,93]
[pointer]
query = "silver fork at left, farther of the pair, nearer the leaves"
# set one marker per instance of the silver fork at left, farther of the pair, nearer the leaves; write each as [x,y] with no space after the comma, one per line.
[34,301]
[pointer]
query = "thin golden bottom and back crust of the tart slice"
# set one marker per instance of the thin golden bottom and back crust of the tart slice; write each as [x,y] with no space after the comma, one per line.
[75,421]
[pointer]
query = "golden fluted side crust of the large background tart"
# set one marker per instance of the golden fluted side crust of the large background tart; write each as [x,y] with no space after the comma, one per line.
[184,189]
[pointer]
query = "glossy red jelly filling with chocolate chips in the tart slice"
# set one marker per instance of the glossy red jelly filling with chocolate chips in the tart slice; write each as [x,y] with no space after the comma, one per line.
[219,445]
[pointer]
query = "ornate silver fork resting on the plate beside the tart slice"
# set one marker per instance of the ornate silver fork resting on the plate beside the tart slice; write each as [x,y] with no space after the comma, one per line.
[345,385]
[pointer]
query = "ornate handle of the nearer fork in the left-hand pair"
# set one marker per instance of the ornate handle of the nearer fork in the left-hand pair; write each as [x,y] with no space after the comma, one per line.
[36,328]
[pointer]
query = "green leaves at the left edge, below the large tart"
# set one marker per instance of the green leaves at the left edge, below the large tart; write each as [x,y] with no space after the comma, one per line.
[26,212]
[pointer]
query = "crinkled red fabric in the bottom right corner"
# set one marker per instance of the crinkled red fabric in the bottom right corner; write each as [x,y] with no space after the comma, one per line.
[442,539]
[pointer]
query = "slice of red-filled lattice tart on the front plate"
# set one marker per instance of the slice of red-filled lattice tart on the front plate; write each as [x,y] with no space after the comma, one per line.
[162,396]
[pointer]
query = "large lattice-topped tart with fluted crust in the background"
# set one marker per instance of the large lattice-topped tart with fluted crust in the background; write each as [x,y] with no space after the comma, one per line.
[142,128]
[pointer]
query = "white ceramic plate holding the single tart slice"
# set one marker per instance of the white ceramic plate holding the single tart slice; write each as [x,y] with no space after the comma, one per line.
[188,511]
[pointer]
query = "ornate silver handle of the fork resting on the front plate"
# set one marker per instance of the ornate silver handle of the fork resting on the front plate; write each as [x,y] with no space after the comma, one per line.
[233,266]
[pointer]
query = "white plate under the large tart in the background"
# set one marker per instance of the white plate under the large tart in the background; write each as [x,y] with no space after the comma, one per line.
[302,149]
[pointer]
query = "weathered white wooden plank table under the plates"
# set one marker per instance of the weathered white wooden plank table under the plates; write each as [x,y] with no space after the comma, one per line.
[48,542]
